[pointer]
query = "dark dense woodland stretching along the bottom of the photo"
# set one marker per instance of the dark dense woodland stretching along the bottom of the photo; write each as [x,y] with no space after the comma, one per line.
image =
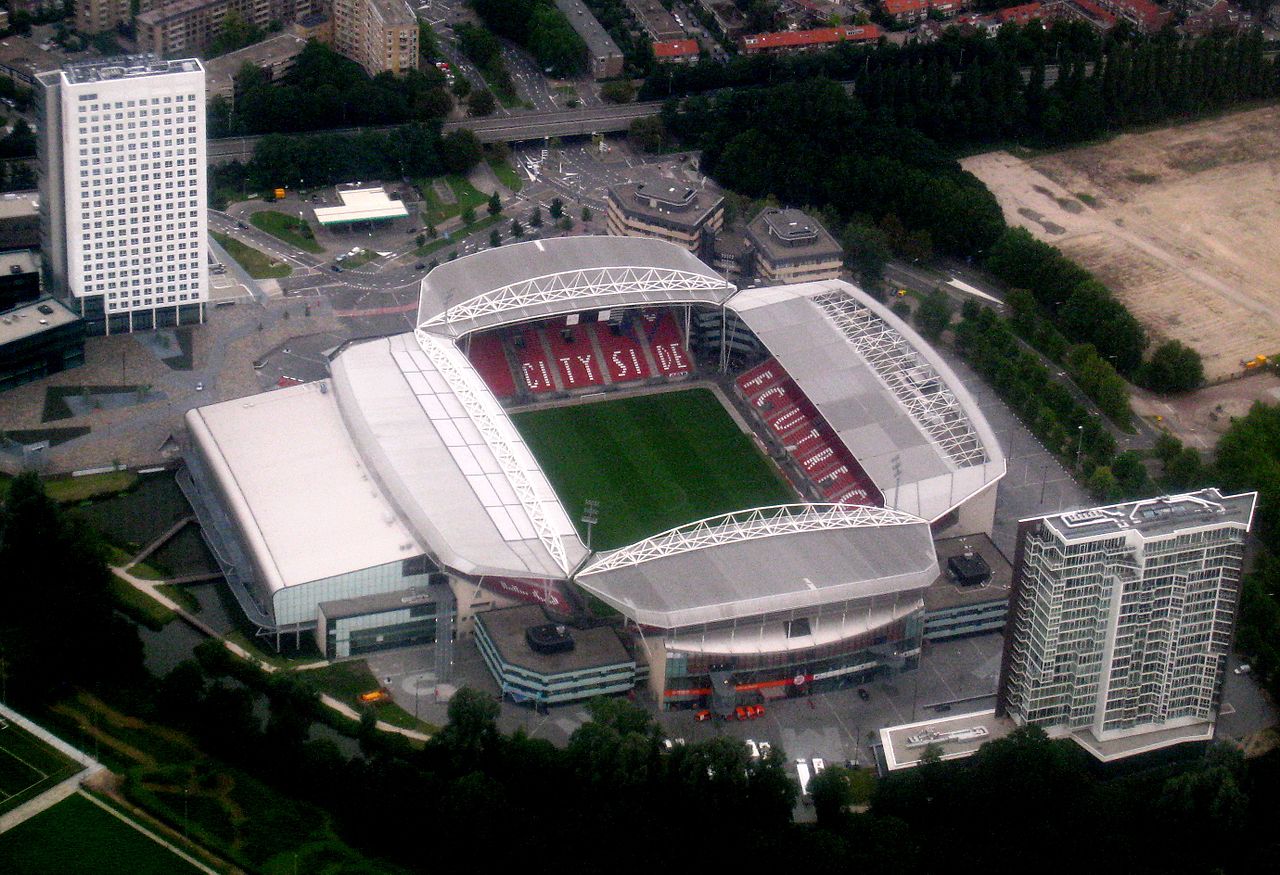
[615,798]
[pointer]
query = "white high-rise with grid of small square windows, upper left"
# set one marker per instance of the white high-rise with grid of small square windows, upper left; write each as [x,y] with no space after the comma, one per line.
[124,193]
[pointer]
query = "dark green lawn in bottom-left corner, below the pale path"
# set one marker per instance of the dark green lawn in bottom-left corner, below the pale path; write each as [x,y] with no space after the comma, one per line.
[76,836]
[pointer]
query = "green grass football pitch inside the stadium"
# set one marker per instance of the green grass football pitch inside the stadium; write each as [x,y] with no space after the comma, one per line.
[653,462]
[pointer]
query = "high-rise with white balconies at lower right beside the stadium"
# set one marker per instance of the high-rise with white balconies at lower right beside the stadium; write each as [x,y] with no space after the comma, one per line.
[1122,617]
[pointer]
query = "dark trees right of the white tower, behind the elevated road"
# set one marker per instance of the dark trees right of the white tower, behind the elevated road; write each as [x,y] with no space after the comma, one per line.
[326,91]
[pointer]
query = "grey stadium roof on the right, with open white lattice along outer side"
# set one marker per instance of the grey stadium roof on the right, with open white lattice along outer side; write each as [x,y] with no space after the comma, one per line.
[893,401]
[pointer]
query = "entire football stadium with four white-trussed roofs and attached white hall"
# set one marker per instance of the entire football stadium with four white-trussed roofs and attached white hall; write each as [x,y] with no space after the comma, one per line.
[744,484]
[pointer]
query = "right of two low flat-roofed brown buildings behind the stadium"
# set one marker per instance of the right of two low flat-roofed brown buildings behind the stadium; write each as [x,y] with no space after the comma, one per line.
[793,248]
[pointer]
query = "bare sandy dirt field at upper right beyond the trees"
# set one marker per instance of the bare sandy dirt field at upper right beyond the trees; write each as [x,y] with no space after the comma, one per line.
[1182,223]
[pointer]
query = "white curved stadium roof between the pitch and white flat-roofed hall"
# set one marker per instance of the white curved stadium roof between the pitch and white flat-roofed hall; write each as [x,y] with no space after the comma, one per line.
[450,459]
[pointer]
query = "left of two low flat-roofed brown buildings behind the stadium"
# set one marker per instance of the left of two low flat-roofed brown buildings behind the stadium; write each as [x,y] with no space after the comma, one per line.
[668,210]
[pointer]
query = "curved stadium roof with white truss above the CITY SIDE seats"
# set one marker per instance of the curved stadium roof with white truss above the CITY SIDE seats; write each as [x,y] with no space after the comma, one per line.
[563,276]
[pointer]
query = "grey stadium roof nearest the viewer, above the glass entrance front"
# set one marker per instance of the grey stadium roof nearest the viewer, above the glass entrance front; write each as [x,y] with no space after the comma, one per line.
[762,562]
